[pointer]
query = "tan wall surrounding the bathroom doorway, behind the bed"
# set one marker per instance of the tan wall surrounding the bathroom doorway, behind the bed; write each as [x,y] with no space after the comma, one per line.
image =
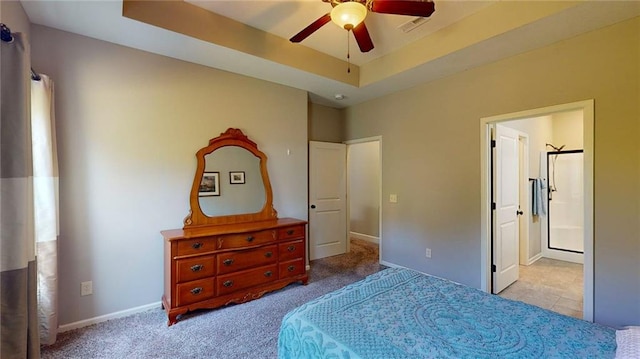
[431,157]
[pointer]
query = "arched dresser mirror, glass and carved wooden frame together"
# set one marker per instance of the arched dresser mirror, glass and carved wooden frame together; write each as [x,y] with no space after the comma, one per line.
[231,184]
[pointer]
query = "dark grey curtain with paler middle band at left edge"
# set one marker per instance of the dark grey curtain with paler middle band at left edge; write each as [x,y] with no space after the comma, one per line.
[18,278]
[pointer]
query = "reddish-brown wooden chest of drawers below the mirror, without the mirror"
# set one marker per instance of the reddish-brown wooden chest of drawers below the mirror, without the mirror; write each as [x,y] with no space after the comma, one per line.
[217,265]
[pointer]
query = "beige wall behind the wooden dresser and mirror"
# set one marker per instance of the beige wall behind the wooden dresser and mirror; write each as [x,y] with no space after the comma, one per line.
[129,124]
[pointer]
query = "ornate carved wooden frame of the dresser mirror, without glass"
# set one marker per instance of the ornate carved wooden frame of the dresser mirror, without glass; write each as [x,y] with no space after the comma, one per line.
[196,217]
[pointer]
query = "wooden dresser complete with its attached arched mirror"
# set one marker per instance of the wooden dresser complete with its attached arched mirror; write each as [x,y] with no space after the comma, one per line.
[233,247]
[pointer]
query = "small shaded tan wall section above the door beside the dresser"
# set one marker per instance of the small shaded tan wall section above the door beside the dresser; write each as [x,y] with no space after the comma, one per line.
[325,124]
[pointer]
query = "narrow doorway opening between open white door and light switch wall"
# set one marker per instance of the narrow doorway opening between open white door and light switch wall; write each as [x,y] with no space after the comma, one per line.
[364,194]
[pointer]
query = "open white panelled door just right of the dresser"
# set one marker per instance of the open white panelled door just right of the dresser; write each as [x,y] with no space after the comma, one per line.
[327,199]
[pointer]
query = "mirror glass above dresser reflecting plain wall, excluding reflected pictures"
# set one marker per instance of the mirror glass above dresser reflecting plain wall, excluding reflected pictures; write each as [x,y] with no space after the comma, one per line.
[233,196]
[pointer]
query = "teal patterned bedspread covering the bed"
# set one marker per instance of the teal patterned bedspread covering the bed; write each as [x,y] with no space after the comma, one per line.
[399,313]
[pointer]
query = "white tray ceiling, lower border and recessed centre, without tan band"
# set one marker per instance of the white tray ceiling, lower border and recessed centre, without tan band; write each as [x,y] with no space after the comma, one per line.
[103,20]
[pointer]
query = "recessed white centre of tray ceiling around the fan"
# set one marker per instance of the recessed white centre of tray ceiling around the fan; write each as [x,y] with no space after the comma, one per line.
[287,18]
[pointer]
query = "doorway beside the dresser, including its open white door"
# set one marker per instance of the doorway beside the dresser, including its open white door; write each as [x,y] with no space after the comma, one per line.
[345,189]
